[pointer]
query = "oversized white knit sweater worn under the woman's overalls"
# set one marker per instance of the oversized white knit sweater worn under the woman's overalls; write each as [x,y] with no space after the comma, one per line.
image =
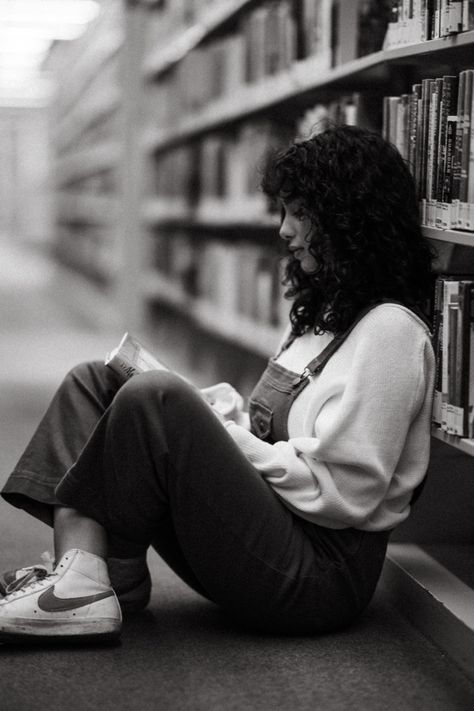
[359,433]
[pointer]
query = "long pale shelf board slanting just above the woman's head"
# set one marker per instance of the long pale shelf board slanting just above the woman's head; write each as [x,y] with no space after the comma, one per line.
[304,76]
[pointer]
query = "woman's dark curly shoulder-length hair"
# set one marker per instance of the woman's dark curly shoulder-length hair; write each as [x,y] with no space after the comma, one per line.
[360,198]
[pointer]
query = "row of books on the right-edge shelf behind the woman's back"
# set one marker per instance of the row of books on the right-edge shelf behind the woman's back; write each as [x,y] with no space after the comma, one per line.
[453,409]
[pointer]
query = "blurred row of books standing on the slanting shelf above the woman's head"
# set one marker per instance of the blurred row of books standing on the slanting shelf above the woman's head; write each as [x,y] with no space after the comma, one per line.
[267,41]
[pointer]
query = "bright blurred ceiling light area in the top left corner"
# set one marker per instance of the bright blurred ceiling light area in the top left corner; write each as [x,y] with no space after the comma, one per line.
[28,28]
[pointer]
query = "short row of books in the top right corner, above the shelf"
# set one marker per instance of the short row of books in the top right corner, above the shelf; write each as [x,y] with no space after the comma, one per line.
[416,21]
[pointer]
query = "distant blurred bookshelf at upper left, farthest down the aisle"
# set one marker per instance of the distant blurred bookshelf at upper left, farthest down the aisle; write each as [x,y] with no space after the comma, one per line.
[88,150]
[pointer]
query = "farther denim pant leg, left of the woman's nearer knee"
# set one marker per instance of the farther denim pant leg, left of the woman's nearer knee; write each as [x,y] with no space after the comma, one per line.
[76,408]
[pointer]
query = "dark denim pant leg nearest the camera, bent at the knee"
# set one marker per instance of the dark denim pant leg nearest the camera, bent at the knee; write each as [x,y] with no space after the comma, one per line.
[160,454]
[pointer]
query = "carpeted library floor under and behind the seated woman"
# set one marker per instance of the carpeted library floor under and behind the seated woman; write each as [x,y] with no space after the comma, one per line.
[180,653]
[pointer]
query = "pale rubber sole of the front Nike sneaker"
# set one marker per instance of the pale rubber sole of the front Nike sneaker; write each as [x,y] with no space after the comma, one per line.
[21,630]
